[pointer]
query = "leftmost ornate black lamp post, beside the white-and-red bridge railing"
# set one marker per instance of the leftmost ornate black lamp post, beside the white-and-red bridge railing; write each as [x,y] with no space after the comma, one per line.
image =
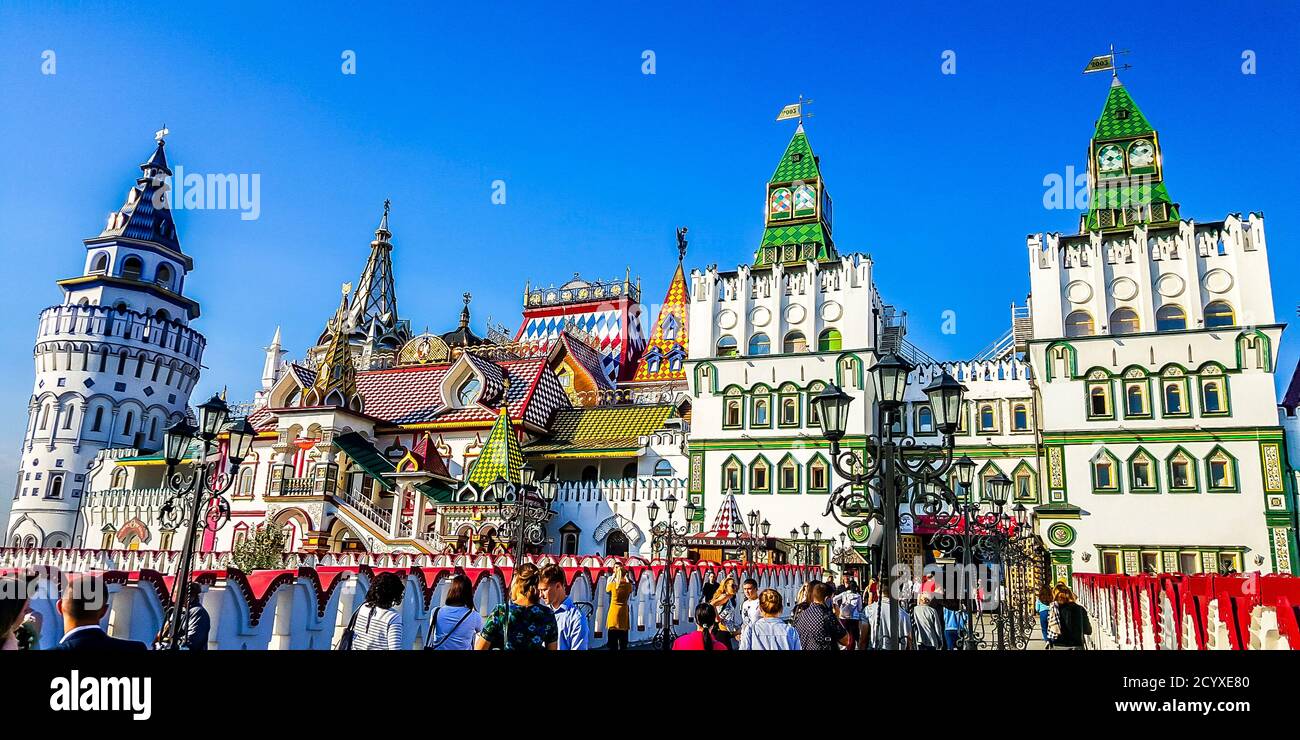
[201,492]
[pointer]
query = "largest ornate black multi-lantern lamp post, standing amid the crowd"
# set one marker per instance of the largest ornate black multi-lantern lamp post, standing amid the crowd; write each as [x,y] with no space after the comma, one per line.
[882,470]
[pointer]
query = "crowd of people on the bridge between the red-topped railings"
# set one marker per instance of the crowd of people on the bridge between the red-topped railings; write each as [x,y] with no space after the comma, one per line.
[541,616]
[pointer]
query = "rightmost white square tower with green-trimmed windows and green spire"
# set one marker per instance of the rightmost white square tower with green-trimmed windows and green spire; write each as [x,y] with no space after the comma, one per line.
[1154,349]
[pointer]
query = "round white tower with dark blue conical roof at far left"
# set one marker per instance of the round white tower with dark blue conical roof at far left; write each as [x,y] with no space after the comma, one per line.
[115,363]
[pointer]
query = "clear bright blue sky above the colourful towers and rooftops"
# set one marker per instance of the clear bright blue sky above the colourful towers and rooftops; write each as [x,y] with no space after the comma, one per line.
[939,178]
